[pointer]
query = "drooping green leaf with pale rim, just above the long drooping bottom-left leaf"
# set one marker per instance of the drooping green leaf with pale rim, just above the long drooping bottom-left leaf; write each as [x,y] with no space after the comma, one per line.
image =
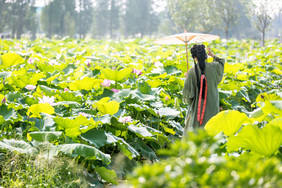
[45,136]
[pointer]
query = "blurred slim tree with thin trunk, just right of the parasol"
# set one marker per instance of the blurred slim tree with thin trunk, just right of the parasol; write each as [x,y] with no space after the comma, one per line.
[227,12]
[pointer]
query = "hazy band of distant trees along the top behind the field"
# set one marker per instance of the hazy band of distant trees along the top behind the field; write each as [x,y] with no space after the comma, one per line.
[138,18]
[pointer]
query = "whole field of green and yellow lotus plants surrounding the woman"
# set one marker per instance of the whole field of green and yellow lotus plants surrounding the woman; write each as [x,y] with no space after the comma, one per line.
[114,110]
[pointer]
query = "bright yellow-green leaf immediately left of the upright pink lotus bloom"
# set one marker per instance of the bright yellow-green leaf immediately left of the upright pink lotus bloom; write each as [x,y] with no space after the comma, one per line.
[86,83]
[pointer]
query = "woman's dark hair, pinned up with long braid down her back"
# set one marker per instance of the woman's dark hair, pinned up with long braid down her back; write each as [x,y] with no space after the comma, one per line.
[199,52]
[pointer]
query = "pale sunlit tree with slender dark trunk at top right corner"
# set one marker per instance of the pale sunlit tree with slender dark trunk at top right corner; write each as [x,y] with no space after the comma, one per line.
[262,12]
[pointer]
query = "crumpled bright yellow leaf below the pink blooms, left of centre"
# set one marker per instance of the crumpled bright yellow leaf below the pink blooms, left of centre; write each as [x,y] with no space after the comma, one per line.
[106,107]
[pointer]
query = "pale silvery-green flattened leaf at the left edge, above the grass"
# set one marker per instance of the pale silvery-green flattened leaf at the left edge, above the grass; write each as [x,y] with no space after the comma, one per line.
[18,146]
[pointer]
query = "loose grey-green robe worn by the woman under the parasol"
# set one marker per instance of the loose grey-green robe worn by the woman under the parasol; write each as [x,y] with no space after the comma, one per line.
[213,73]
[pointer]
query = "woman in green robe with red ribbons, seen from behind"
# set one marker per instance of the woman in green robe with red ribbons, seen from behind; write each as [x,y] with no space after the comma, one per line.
[200,88]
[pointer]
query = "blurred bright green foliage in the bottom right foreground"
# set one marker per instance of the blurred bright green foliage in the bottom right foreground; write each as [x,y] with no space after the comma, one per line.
[198,162]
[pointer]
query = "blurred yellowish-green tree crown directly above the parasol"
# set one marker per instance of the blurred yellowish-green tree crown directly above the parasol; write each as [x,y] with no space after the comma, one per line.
[192,15]
